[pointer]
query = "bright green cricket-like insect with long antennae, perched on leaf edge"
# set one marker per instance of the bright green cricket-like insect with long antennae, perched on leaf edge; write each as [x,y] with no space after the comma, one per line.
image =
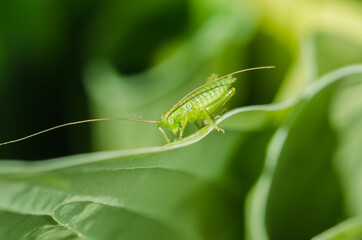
[199,104]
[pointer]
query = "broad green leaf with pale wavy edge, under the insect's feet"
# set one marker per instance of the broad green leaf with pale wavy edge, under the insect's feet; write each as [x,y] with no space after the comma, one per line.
[177,191]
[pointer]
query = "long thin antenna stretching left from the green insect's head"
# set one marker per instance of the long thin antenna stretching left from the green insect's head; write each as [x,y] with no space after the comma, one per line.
[78,122]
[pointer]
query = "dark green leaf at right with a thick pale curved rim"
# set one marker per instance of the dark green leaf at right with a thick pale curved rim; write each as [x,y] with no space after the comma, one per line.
[299,178]
